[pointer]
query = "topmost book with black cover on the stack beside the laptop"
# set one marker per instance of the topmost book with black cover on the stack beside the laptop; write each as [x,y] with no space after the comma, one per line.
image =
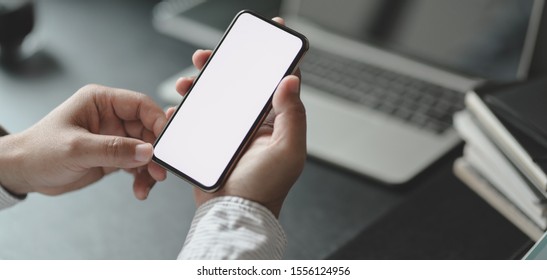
[503,133]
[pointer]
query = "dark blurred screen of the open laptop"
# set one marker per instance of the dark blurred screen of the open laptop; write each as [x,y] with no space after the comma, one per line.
[484,38]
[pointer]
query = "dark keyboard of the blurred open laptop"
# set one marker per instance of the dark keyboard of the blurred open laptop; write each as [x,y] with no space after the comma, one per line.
[412,100]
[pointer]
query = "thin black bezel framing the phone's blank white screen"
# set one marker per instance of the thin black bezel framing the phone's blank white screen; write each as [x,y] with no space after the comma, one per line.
[259,119]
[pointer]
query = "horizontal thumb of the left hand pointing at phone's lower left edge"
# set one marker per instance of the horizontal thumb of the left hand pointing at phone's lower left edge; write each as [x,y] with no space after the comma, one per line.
[114,151]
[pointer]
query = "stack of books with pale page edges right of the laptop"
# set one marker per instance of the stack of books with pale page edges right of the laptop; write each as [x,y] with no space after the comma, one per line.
[505,155]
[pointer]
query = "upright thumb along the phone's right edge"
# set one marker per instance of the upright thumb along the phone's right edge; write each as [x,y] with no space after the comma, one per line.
[290,114]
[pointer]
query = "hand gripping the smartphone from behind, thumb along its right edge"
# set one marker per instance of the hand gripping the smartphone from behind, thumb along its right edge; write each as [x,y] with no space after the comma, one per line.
[275,157]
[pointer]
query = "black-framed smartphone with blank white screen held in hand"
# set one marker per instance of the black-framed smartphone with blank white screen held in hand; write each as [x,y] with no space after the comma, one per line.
[229,100]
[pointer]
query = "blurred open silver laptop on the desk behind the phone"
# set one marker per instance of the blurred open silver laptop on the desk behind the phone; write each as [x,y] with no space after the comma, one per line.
[382,79]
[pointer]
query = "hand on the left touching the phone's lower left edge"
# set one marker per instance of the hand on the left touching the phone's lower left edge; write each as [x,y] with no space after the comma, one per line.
[95,132]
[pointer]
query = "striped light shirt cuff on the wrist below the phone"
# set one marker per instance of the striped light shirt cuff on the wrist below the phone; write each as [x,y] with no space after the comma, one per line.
[234,228]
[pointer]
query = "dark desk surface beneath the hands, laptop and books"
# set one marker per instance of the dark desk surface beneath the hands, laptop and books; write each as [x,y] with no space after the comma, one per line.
[329,213]
